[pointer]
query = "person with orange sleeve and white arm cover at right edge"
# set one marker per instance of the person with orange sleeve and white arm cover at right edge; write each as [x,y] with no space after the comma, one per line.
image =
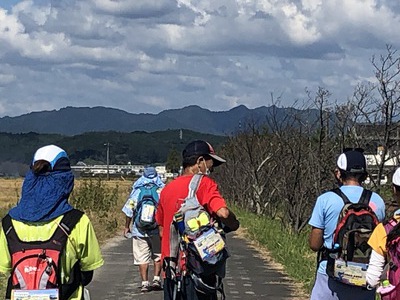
[382,240]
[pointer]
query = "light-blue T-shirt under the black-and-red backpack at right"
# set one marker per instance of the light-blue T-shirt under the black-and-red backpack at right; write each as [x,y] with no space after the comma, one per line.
[328,207]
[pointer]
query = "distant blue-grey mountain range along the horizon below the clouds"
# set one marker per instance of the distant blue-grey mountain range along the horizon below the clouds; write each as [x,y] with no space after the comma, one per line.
[77,120]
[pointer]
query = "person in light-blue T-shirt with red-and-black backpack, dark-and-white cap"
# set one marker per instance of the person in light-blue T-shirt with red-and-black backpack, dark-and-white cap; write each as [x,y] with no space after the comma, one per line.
[350,172]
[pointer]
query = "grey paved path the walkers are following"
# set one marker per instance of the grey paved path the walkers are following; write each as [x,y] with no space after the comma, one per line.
[248,275]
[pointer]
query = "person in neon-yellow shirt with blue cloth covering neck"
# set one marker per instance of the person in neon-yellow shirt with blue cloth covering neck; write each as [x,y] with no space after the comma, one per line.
[42,219]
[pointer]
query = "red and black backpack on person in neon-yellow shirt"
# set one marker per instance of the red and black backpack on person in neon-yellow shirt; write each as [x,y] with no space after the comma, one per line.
[36,264]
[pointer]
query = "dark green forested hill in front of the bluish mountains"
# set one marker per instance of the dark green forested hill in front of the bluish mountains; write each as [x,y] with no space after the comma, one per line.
[135,147]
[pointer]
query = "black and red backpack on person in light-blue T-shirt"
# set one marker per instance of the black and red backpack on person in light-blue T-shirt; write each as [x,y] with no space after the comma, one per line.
[349,258]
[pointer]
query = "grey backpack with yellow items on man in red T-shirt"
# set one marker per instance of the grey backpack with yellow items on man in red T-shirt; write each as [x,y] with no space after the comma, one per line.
[201,243]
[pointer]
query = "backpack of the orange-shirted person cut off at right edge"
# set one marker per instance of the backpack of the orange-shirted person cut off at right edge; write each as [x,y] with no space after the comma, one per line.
[392,268]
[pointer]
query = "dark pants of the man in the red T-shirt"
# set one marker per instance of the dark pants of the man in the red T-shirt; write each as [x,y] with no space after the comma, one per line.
[187,291]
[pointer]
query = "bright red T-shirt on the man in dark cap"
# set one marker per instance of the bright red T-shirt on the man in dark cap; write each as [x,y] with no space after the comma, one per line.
[171,199]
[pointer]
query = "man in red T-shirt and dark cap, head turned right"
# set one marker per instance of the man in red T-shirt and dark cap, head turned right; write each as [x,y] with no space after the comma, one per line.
[198,157]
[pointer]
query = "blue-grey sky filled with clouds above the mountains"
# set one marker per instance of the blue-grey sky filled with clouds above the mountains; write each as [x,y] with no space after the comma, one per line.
[152,55]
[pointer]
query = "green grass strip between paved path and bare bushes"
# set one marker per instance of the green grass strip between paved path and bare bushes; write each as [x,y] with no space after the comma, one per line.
[288,249]
